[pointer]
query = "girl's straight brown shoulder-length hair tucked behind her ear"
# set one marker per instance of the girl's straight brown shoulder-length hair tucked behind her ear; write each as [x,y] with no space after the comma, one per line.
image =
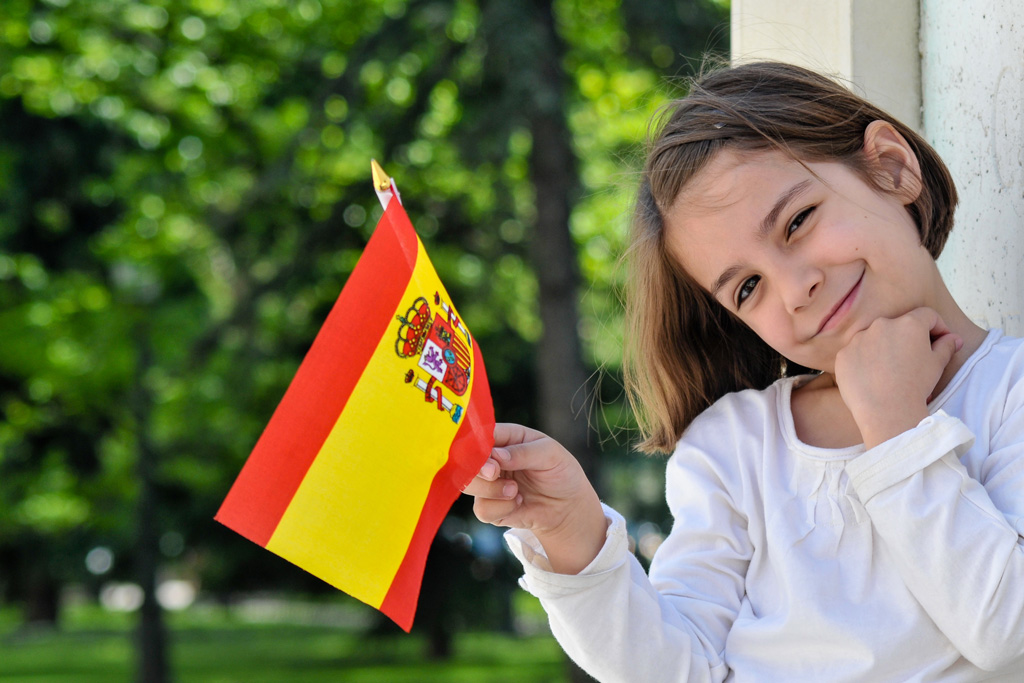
[684,350]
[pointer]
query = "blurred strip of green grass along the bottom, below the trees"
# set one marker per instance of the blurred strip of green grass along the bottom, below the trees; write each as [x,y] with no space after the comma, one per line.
[220,646]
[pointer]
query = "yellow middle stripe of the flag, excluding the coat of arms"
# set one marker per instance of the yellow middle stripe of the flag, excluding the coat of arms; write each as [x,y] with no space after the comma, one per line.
[366,489]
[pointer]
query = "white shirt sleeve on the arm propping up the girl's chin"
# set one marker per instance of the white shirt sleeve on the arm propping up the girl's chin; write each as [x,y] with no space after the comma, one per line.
[957,542]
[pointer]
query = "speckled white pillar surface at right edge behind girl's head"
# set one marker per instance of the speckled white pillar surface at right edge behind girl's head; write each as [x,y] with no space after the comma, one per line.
[973,86]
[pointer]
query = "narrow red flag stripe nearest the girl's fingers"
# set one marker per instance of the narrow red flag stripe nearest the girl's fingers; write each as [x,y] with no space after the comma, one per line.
[471,449]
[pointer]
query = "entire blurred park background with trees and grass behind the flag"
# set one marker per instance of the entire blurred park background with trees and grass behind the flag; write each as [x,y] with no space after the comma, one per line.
[185,188]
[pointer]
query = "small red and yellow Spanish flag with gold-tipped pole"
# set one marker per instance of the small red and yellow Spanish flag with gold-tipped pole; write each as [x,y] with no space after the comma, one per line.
[388,419]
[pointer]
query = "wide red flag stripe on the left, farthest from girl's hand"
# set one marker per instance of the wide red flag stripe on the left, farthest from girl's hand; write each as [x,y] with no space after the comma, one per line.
[324,382]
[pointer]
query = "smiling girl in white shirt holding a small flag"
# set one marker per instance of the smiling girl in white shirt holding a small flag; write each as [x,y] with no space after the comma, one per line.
[847,481]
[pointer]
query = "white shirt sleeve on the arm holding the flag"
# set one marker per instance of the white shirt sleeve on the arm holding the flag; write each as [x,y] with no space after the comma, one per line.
[620,625]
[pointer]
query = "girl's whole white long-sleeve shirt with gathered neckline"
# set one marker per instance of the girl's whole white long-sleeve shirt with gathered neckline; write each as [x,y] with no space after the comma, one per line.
[790,563]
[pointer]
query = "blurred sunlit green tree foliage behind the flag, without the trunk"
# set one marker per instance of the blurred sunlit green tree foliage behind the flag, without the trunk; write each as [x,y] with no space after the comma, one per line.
[185,189]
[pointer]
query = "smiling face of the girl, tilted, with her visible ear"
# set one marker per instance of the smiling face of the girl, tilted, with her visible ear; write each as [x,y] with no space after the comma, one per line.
[806,260]
